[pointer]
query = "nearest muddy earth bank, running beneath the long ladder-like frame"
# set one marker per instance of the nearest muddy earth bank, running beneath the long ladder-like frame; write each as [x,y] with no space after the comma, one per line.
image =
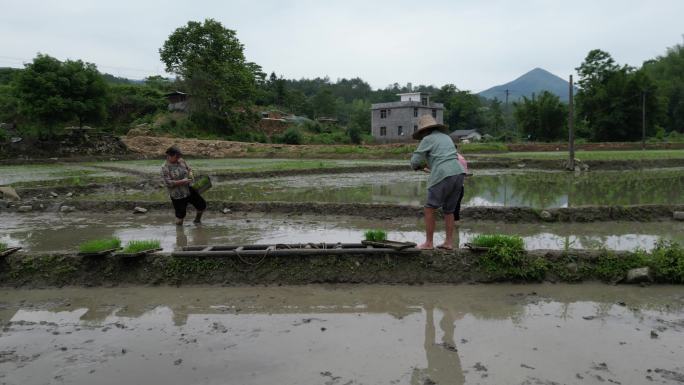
[406,267]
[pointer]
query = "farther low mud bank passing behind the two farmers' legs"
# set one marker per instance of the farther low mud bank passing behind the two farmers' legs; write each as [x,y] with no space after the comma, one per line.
[639,213]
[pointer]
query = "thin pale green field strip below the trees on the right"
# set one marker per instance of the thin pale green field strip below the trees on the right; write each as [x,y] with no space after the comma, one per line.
[597,155]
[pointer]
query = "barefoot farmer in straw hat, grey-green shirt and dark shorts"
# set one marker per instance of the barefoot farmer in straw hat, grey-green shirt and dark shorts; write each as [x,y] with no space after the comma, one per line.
[436,154]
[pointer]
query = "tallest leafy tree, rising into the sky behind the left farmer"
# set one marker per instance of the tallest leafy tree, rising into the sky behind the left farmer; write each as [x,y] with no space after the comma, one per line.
[209,60]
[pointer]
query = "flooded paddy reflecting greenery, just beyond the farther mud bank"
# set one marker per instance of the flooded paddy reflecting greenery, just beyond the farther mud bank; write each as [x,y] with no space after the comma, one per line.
[508,188]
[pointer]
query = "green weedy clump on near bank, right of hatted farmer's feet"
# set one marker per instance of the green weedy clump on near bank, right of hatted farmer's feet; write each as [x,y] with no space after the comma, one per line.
[506,258]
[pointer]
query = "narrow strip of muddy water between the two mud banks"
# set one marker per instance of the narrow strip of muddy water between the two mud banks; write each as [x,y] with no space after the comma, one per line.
[52,231]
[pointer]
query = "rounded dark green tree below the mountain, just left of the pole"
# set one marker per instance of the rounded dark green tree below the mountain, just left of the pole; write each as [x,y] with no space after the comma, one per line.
[542,118]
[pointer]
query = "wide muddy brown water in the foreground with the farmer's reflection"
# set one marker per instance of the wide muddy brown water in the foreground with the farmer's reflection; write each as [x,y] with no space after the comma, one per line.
[497,334]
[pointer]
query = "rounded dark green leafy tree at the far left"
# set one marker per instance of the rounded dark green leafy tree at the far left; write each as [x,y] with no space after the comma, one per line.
[53,92]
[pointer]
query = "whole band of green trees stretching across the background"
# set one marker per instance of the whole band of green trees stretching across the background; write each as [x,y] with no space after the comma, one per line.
[227,91]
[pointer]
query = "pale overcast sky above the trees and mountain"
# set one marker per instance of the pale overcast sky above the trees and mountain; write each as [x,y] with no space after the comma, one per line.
[472,44]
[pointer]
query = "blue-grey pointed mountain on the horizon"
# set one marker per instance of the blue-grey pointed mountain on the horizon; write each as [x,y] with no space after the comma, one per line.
[535,81]
